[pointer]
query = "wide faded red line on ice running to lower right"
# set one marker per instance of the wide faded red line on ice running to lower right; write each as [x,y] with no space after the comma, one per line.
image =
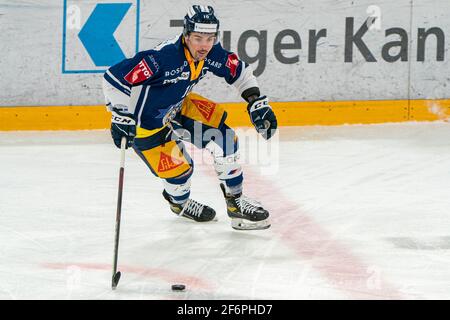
[314,243]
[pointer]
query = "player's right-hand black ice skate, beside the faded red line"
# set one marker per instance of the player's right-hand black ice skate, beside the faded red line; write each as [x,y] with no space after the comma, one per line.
[245,213]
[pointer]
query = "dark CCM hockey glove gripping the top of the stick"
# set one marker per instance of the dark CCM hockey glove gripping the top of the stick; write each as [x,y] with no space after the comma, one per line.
[122,125]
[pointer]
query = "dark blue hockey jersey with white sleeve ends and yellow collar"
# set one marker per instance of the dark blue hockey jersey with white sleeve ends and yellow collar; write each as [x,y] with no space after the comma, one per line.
[158,80]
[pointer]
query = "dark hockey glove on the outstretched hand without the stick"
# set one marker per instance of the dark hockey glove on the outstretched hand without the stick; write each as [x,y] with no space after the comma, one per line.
[263,117]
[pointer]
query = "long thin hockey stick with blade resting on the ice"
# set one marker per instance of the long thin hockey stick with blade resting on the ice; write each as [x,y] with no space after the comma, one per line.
[116,274]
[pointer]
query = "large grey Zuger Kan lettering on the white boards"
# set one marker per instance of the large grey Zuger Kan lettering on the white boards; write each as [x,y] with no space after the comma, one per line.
[394,49]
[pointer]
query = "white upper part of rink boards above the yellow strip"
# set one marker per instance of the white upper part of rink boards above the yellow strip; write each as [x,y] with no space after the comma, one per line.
[31,44]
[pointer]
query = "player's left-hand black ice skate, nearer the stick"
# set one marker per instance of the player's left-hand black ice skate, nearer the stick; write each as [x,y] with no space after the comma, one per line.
[191,209]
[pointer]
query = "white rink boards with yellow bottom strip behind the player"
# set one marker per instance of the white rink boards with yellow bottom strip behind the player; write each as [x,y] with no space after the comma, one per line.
[319,62]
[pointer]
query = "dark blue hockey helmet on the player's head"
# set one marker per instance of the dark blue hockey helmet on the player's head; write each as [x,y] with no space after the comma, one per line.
[201,19]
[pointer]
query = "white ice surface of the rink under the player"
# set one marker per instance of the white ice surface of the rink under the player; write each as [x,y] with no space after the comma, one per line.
[358,212]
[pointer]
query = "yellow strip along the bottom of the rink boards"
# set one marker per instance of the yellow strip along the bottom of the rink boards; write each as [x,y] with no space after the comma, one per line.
[288,114]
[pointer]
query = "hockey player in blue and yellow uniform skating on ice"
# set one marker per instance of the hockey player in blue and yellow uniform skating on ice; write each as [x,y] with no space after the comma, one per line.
[150,98]
